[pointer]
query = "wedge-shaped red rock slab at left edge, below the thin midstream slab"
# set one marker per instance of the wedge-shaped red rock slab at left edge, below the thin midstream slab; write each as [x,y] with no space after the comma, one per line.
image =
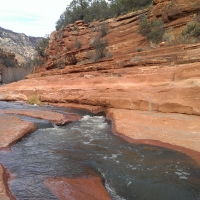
[12,129]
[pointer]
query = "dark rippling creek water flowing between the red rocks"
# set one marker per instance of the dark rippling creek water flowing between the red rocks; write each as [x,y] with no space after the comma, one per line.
[131,171]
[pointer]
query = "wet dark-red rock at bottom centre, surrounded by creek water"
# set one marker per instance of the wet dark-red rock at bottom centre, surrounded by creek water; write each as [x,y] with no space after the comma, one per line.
[84,188]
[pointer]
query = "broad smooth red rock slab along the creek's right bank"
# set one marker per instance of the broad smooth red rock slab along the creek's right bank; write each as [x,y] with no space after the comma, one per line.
[178,131]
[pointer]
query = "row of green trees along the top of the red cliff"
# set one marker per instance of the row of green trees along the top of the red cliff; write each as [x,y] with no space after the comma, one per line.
[89,10]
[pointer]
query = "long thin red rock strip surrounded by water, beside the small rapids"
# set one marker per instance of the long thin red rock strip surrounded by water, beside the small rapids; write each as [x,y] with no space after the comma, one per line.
[54,117]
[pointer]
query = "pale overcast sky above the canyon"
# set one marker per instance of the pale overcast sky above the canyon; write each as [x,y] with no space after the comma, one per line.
[32,17]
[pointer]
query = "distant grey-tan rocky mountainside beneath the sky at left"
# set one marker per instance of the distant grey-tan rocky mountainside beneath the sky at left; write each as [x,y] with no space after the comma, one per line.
[21,45]
